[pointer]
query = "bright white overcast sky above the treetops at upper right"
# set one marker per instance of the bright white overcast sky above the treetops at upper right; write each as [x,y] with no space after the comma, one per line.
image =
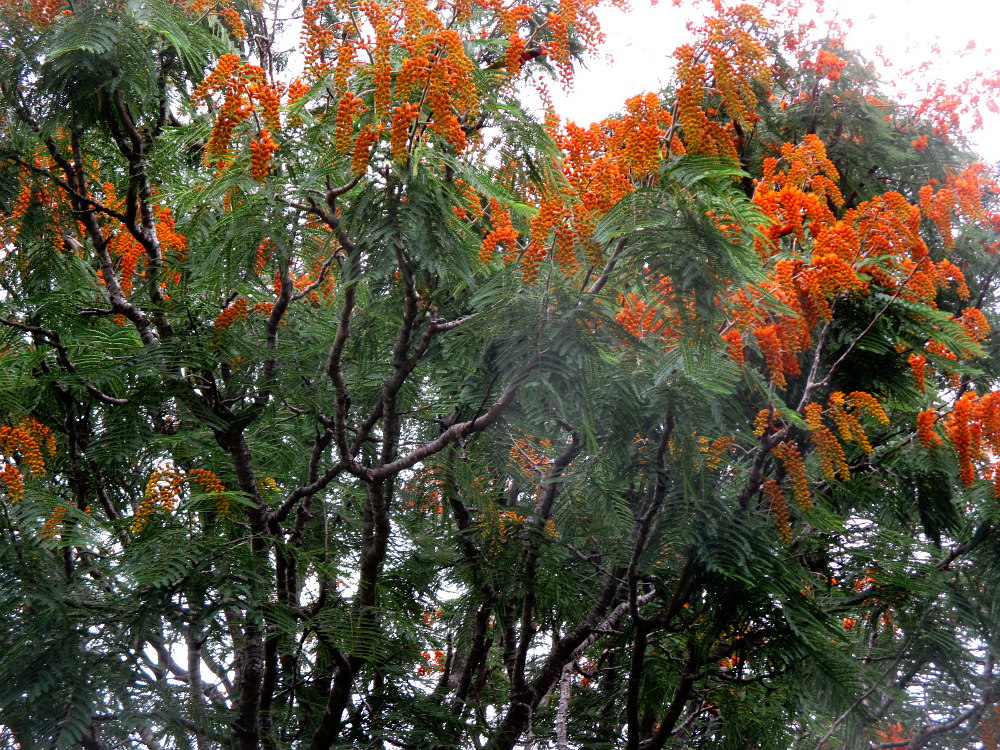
[640,44]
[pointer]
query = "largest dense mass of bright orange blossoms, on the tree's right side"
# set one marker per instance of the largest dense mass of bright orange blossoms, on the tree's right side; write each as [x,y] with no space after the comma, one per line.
[877,242]
